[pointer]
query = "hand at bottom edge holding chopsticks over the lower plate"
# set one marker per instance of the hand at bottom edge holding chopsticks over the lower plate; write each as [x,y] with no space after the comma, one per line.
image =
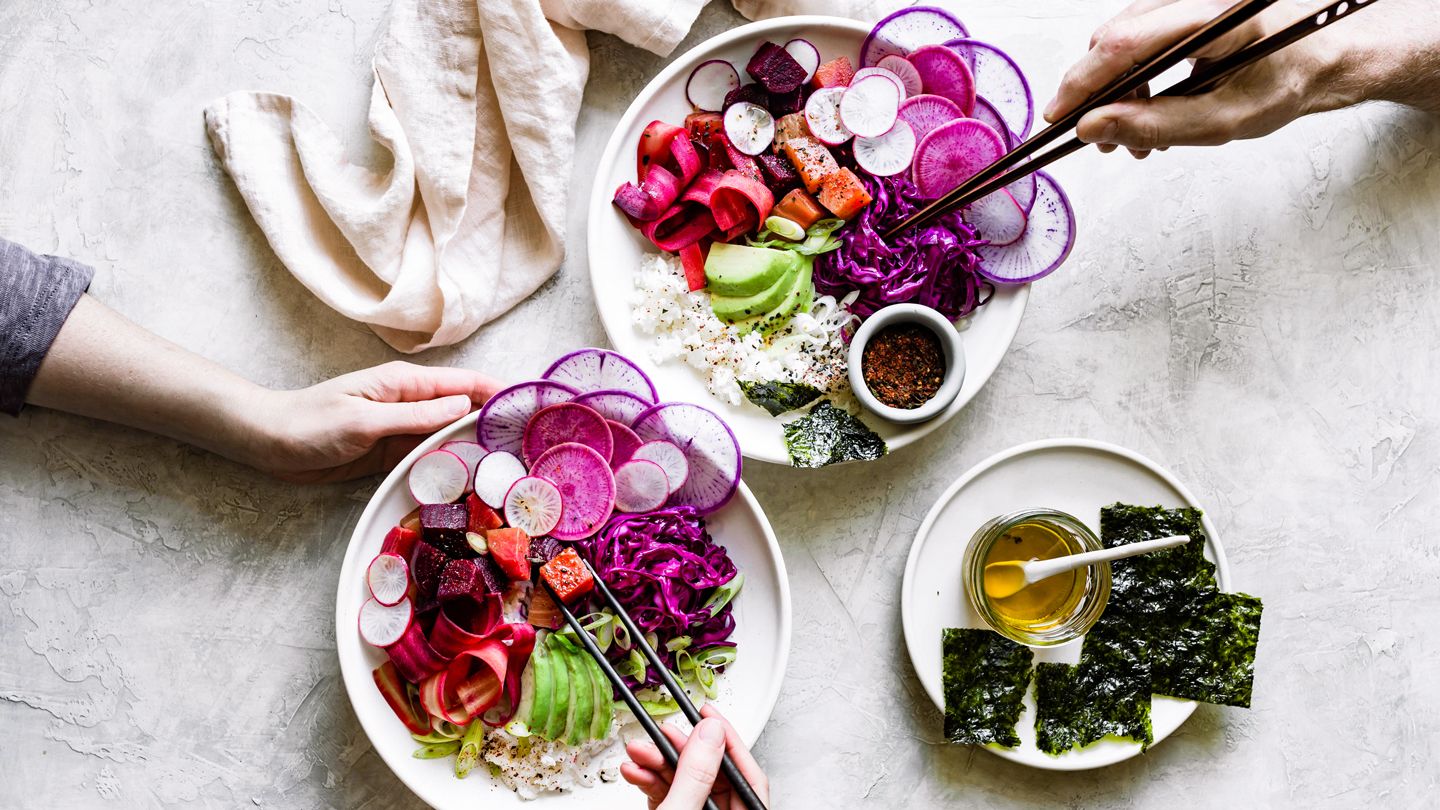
[698,776]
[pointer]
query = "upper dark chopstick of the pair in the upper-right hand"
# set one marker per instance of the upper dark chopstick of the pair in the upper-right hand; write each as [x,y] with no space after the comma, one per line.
[1120,89]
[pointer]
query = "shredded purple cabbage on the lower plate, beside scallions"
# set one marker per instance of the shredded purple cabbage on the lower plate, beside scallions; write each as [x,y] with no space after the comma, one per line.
[663,567]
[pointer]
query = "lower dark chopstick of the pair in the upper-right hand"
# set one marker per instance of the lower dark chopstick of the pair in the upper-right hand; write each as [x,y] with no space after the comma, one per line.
[1202,81]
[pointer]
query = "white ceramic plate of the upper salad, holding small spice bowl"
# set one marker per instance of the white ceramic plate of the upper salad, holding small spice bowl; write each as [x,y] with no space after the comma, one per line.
[617,249]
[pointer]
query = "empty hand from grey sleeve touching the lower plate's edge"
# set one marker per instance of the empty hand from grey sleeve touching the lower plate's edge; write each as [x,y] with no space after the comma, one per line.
[361,423]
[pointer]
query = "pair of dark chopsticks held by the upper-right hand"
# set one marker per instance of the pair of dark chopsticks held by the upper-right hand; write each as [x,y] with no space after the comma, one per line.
[1025,159]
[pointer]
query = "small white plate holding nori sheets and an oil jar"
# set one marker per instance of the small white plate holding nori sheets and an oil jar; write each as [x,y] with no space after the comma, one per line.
[1074,476]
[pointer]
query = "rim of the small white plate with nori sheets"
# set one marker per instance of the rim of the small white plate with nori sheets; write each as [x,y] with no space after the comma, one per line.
[908,620]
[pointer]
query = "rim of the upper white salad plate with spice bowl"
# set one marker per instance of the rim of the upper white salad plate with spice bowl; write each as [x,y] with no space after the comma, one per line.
[601,207]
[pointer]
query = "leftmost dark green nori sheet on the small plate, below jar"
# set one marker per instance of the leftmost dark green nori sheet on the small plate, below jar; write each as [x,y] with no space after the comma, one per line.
[984,677]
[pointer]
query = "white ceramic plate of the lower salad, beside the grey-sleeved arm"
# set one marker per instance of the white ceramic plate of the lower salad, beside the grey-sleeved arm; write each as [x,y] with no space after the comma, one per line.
[748,690]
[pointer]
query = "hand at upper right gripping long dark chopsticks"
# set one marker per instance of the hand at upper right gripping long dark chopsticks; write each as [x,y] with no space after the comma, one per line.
[1313,76]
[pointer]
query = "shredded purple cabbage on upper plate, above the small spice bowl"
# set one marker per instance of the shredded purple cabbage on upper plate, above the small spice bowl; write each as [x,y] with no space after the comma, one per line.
[934,266]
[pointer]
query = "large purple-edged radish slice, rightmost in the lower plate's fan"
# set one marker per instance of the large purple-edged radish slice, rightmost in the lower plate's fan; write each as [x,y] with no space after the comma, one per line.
[709,446]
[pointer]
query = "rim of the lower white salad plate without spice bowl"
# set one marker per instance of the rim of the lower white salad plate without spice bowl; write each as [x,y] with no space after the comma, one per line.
[355,681]
